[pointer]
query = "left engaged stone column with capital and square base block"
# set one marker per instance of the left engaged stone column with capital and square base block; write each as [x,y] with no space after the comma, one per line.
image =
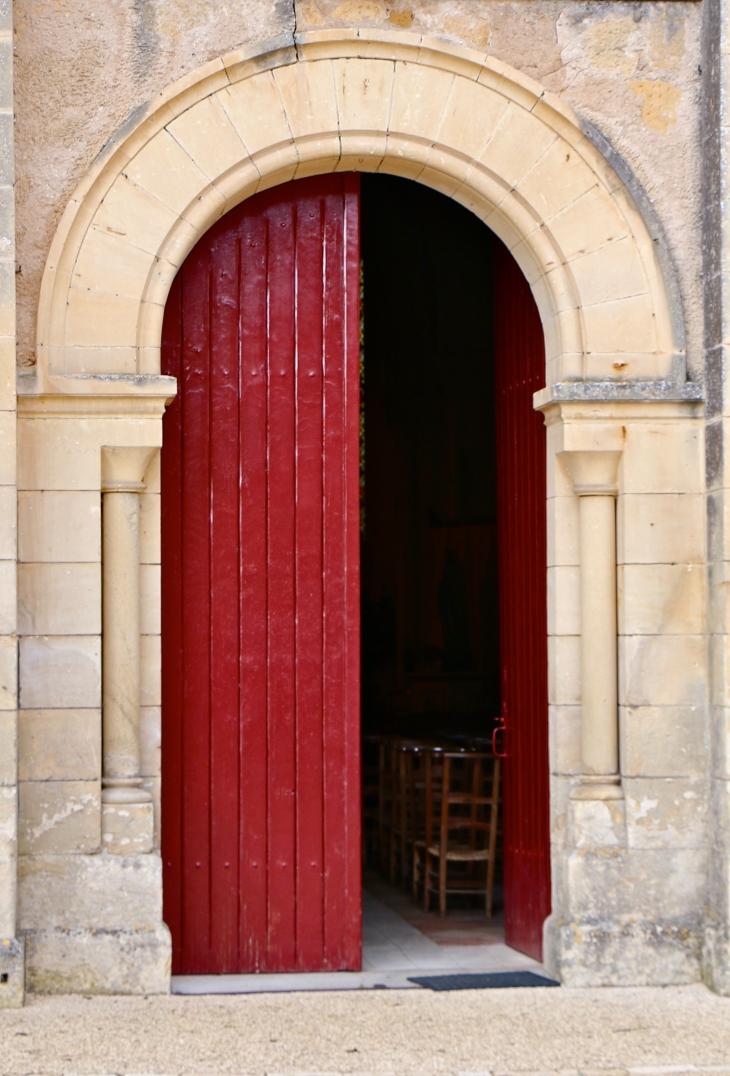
[128,812]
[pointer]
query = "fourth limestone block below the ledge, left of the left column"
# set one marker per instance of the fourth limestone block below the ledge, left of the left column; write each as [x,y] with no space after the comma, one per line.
[61,672]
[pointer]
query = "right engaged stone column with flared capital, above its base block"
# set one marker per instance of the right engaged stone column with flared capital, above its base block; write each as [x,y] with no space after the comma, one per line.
[595,482]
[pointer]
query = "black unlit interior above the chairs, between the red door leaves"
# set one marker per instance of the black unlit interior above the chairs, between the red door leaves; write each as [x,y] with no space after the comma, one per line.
[430,616]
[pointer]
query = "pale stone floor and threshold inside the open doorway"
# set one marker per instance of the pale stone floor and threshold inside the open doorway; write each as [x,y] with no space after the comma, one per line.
[400,941]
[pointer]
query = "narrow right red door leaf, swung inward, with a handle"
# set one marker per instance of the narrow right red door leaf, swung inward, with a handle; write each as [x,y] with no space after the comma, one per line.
[520,371]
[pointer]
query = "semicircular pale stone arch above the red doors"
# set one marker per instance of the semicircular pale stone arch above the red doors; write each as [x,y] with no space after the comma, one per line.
[454,119]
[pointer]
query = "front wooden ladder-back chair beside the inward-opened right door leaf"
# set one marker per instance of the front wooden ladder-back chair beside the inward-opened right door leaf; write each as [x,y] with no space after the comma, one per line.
[461,828]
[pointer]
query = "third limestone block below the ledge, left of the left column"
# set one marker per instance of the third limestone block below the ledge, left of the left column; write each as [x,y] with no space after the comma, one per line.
[60,599]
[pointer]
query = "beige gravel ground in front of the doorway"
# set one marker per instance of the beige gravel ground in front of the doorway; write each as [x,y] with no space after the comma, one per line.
[637,1031]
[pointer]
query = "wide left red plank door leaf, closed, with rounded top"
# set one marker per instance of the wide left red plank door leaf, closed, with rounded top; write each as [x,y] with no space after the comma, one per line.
[261,578]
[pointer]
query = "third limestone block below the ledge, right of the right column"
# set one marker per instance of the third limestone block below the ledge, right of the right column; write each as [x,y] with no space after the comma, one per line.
[662,600]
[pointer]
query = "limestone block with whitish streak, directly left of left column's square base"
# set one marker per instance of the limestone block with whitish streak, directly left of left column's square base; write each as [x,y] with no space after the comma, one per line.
[57,817]
